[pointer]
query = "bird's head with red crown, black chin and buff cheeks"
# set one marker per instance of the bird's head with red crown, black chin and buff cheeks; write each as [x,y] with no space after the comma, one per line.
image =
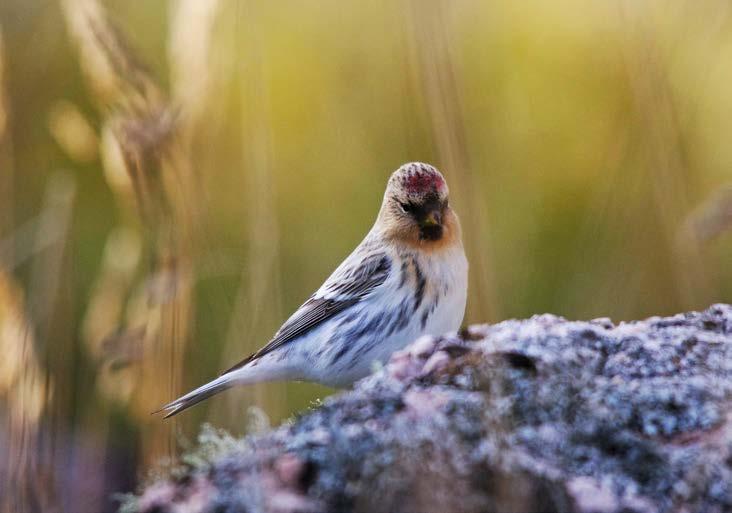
[415,209]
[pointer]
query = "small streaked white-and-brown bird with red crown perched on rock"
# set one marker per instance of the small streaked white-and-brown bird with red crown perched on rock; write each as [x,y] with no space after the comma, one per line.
[407,278]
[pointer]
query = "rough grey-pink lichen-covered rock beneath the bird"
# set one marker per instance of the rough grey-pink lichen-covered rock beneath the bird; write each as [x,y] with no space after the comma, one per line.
[535,415]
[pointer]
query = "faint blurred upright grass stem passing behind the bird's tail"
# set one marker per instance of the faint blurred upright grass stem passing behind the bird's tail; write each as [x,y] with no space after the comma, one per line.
[258,299]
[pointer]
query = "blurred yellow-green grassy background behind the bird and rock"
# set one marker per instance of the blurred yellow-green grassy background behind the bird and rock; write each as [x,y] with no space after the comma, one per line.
[176,177]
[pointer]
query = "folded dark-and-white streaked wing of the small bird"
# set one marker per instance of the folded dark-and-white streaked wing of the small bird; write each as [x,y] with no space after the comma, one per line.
[350,283]
